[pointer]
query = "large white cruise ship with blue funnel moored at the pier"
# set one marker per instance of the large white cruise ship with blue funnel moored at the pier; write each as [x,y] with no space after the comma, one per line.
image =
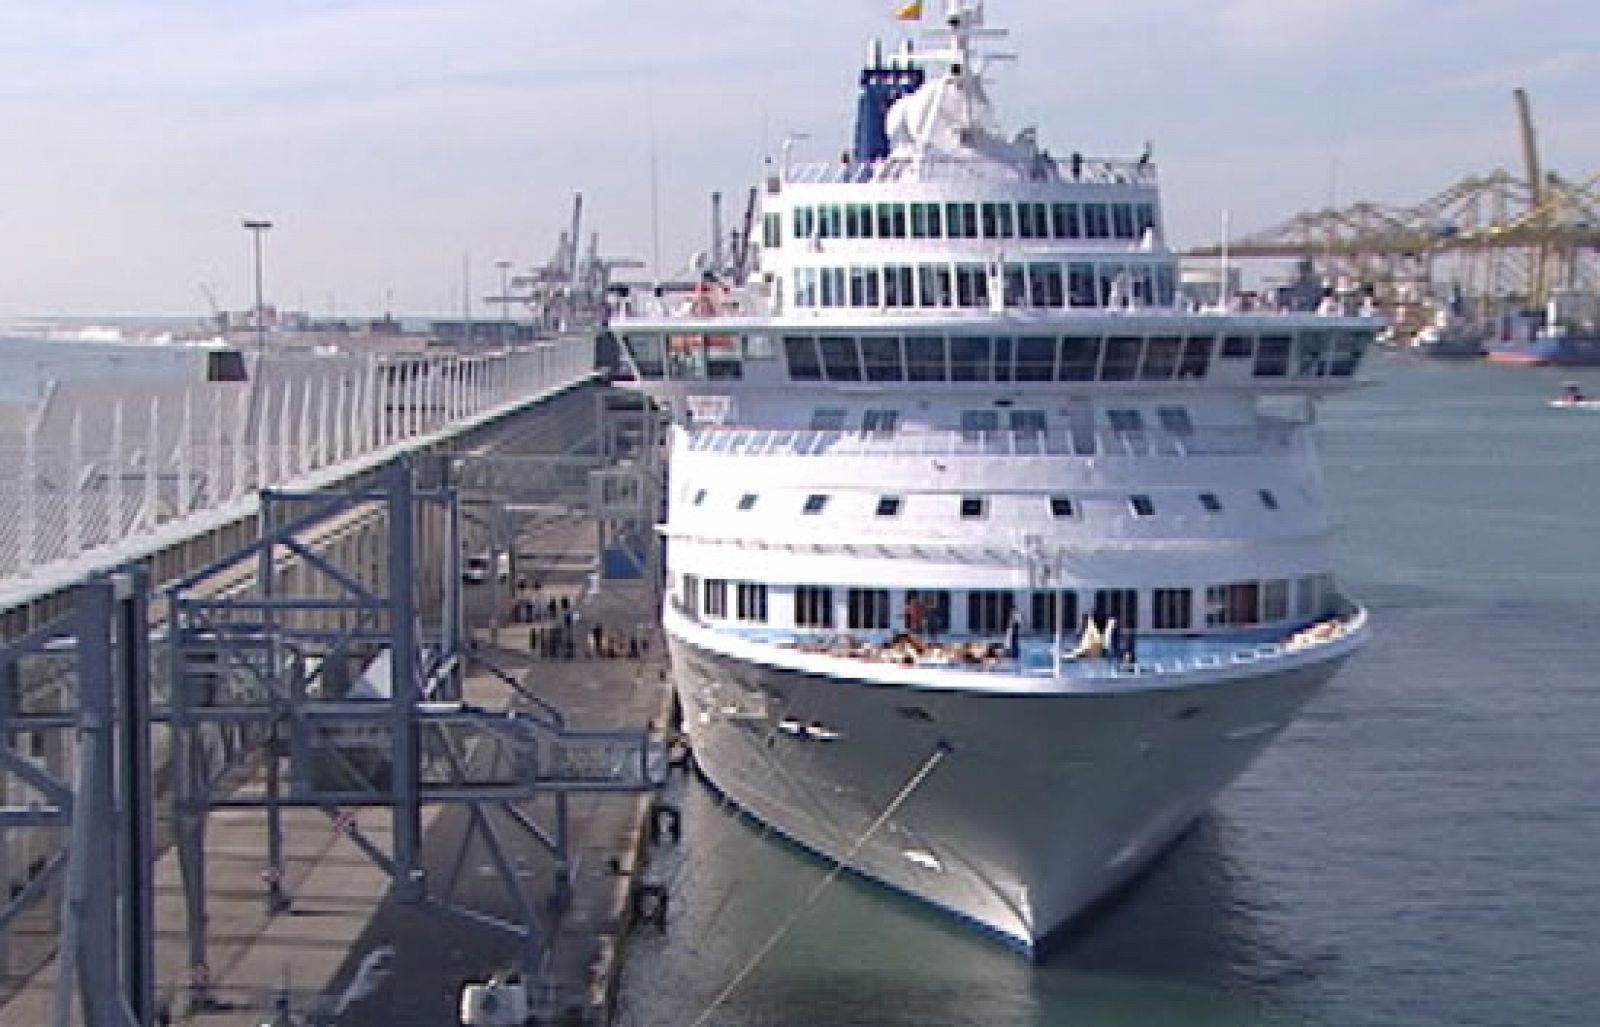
[990,559]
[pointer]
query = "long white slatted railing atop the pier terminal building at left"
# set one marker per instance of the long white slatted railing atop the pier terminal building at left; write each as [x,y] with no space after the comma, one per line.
[102,470]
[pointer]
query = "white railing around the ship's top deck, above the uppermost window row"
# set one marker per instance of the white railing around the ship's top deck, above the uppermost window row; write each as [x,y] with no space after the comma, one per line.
[1042,169]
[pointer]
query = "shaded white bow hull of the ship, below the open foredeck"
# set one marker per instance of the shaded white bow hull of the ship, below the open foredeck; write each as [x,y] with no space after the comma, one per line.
[1038,807]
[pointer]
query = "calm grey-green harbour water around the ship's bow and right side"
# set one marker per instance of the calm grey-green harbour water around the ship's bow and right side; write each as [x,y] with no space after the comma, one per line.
[1422,849]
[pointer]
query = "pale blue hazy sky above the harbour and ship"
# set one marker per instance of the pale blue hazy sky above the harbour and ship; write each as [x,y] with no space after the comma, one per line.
[402,148]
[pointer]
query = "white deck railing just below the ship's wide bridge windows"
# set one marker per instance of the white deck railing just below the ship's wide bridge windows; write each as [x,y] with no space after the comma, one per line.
[1105,442]
